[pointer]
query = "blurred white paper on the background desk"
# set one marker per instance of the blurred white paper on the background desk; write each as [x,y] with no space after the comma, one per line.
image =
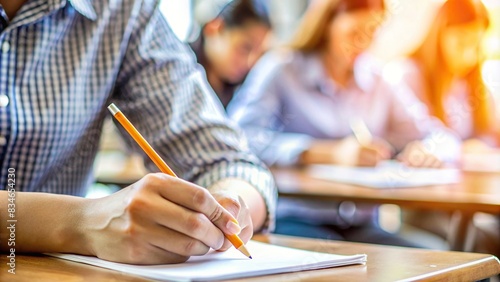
[388,174]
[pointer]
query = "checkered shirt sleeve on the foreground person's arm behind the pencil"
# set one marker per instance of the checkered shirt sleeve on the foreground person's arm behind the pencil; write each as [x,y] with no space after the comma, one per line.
[165,95]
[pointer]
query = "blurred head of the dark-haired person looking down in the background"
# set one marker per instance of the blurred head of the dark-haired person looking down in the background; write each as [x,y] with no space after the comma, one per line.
[230,44]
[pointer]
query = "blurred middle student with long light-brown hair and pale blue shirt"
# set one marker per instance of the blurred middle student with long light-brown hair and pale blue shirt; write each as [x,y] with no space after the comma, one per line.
[297,105]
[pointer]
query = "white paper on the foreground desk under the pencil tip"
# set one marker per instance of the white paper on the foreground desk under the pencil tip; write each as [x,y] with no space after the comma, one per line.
[267,259]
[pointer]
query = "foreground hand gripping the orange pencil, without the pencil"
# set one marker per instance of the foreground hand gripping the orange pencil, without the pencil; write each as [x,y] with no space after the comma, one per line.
[159,219]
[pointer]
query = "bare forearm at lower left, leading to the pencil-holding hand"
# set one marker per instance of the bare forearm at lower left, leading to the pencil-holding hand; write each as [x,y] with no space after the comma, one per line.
[45,223]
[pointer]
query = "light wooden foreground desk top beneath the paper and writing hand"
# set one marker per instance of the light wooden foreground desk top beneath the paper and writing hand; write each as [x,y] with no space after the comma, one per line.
[384,264]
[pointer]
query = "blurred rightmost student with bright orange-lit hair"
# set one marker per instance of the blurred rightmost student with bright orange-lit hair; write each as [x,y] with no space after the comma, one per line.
[445,72]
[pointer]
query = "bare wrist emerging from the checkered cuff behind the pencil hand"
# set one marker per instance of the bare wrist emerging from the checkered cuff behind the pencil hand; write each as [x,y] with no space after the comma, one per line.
[250,195]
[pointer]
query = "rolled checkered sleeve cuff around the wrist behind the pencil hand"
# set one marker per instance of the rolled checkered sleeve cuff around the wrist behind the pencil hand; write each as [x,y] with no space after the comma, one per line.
[257,176]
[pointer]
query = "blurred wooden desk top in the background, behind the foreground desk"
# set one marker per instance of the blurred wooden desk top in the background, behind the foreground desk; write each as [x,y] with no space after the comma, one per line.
[477,192]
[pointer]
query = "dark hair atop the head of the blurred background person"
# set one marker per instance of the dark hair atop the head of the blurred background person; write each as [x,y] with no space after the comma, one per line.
[237,13]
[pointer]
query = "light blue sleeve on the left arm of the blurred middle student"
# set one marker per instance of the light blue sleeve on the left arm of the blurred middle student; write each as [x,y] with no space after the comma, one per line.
[257,107]
